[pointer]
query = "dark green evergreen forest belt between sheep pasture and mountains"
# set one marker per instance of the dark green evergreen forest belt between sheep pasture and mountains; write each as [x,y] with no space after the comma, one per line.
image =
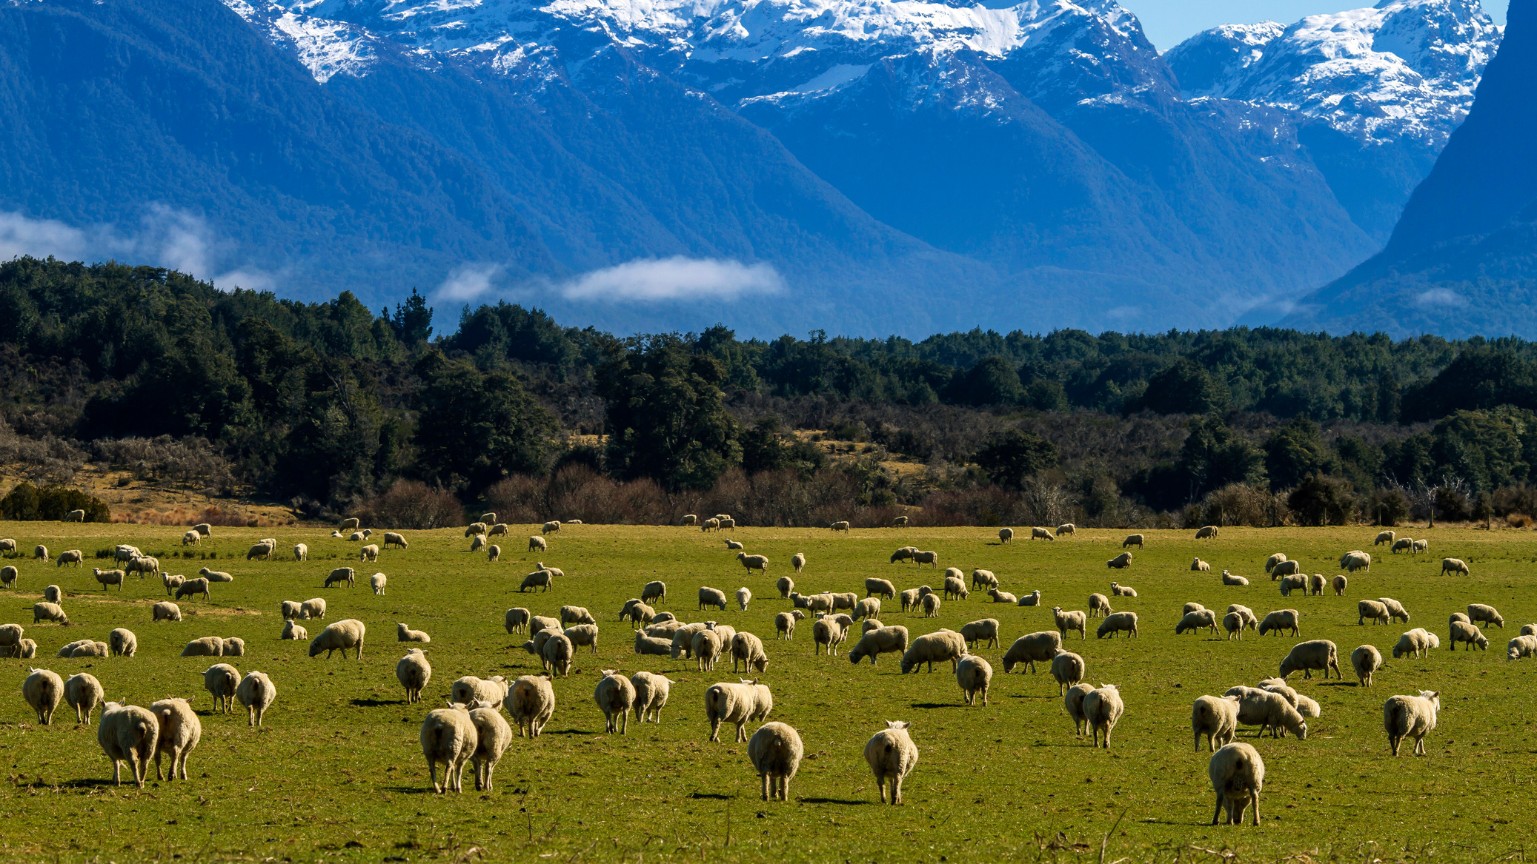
[333,408]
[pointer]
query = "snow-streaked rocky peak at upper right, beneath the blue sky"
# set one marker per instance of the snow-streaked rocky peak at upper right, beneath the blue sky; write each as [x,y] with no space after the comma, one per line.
[1401,70]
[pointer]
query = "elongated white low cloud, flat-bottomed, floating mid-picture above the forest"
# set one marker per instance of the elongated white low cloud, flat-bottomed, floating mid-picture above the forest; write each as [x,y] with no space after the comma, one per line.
[660,281]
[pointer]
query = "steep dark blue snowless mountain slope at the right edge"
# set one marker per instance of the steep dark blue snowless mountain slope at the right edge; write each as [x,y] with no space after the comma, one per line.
[1464,258]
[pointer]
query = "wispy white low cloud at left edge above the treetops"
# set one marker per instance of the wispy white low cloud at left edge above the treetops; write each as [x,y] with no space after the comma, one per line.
[165,238]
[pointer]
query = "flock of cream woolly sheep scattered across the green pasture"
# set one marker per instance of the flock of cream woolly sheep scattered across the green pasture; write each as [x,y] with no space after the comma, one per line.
[474,726]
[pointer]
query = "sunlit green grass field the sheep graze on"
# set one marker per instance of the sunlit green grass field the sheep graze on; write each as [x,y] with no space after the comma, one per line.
[337,774]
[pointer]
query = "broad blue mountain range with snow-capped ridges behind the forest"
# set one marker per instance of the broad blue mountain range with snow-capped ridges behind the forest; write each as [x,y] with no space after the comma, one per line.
[865,167]
